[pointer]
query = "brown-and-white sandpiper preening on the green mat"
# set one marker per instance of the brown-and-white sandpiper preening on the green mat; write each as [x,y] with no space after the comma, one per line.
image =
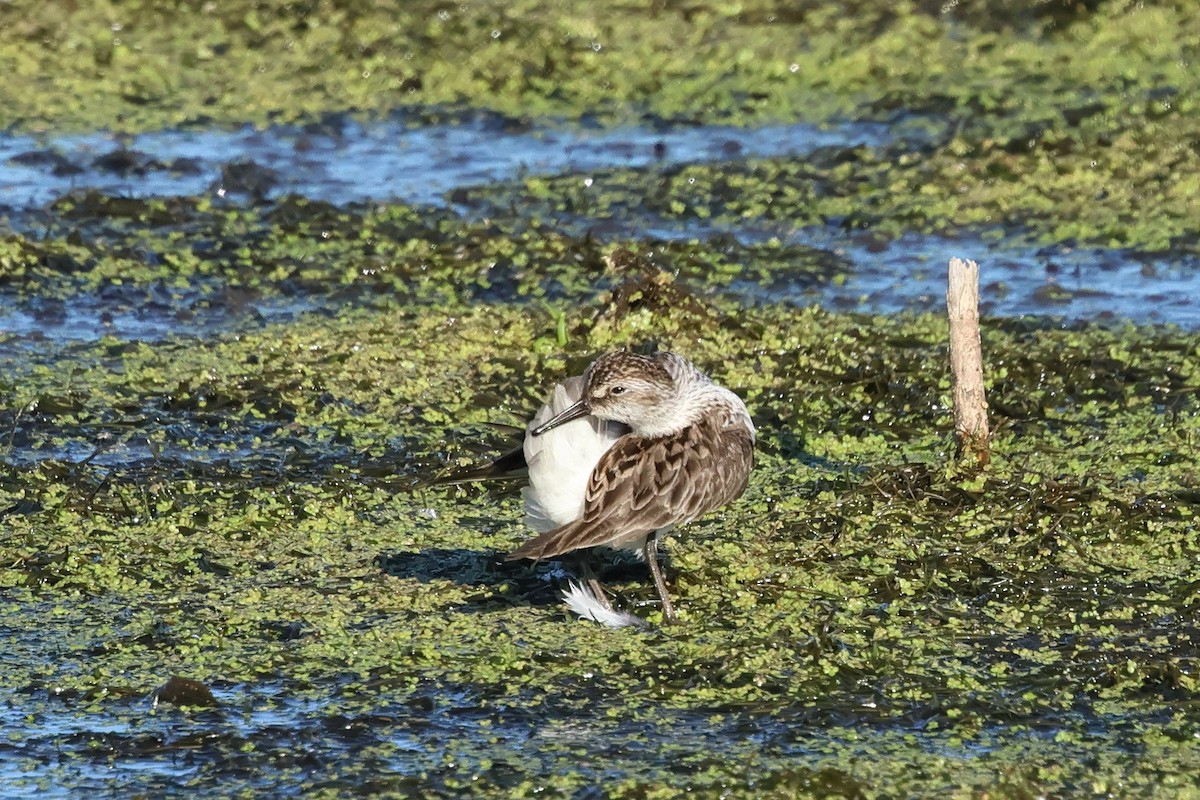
[635,447]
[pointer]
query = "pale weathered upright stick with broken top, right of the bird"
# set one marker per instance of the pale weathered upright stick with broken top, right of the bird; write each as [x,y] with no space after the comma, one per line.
[967,363]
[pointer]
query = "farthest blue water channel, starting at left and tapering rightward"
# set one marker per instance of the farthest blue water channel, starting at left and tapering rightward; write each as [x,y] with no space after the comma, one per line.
[351,163]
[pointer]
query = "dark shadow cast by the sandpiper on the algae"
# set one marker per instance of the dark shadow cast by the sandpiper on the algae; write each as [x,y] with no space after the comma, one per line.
[502,585]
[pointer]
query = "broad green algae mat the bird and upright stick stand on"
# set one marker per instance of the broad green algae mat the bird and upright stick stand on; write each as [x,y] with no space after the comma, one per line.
[861,592]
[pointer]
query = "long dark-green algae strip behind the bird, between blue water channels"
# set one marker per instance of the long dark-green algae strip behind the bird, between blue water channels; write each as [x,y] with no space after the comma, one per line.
[206,257]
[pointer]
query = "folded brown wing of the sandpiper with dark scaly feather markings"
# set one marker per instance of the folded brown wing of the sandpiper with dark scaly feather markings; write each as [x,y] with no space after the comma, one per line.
[643,485]
